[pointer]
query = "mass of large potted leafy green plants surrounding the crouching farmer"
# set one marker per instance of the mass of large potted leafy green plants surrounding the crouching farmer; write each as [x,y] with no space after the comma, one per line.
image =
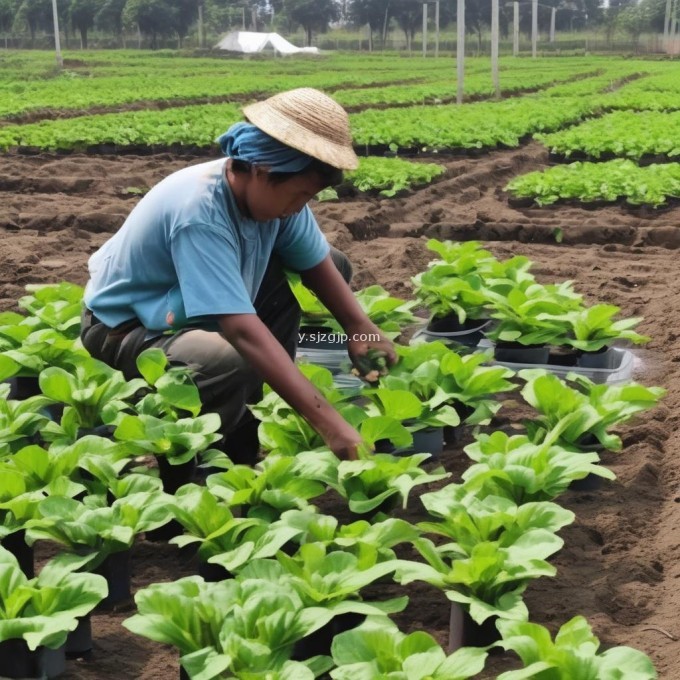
[288,578]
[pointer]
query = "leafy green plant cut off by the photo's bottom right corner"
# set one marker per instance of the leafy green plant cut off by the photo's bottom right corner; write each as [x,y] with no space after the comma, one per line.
[572,654]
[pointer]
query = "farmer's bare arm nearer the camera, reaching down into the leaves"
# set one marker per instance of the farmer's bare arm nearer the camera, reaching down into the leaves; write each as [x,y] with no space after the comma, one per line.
[255,343]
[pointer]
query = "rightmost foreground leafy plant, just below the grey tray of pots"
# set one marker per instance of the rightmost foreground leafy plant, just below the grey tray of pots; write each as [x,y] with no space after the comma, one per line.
[568,415]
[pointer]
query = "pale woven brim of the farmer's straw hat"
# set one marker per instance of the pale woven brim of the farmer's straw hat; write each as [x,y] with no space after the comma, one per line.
[293,134]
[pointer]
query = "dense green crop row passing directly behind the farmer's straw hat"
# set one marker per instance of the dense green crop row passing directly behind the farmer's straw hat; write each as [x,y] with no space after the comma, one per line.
[476,125]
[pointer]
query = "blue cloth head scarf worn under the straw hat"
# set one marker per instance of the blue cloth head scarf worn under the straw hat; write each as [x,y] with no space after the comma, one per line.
[245,142]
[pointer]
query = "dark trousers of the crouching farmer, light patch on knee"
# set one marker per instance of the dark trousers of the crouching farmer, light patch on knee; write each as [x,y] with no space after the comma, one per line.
[225,381]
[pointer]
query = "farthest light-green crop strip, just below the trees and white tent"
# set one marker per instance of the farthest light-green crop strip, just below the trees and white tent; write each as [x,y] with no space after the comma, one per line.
[193,78]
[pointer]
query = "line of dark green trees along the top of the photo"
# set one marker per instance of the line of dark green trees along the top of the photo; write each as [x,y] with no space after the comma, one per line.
[155,19]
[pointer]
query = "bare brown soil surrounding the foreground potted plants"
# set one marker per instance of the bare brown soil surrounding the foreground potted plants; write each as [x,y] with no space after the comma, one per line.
[619,566]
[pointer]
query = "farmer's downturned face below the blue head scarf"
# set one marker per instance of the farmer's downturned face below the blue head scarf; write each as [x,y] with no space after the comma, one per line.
[265,200]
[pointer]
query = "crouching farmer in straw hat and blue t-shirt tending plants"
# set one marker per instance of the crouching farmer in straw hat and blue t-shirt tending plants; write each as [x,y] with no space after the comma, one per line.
[197,270]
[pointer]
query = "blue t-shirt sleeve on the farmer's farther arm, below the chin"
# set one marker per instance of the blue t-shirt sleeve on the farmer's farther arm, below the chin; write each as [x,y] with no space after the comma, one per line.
[300,243]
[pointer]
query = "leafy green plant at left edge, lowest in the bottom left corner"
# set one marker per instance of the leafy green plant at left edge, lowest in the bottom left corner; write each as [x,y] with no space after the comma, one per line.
[42,610]
